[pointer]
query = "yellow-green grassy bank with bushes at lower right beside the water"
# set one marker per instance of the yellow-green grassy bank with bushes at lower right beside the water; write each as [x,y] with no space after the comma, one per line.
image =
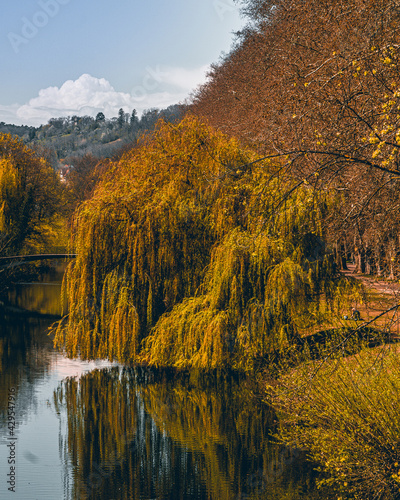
[344,411]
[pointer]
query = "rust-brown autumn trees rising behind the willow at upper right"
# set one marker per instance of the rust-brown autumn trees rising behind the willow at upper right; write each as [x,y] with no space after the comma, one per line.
[317,83]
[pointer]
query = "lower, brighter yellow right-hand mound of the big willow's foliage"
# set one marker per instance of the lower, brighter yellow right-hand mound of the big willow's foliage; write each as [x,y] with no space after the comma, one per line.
[254,296]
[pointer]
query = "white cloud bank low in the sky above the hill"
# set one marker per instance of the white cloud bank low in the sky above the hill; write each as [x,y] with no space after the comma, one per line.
[88,95]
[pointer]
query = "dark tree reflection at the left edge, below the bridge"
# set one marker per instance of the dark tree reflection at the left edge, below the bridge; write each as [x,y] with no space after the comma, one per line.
[26,351]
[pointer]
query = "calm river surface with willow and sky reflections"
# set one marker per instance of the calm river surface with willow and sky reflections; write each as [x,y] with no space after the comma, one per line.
[97,430]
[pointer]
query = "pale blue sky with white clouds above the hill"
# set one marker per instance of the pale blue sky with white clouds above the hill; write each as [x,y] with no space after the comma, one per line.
[65,57]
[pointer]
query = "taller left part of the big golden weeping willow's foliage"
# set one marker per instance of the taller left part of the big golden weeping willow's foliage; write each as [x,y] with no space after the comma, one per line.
[145,238]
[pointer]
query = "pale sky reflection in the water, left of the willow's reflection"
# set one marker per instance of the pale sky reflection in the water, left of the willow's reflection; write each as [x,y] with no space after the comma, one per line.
[40,461]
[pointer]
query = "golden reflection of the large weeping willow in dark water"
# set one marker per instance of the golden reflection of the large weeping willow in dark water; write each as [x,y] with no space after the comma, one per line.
[141,434]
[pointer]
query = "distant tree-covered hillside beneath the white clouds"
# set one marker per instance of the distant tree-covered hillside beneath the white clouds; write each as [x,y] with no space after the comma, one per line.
[74,136]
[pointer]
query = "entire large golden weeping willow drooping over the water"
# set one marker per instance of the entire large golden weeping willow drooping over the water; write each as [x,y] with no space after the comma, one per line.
[187,258]
